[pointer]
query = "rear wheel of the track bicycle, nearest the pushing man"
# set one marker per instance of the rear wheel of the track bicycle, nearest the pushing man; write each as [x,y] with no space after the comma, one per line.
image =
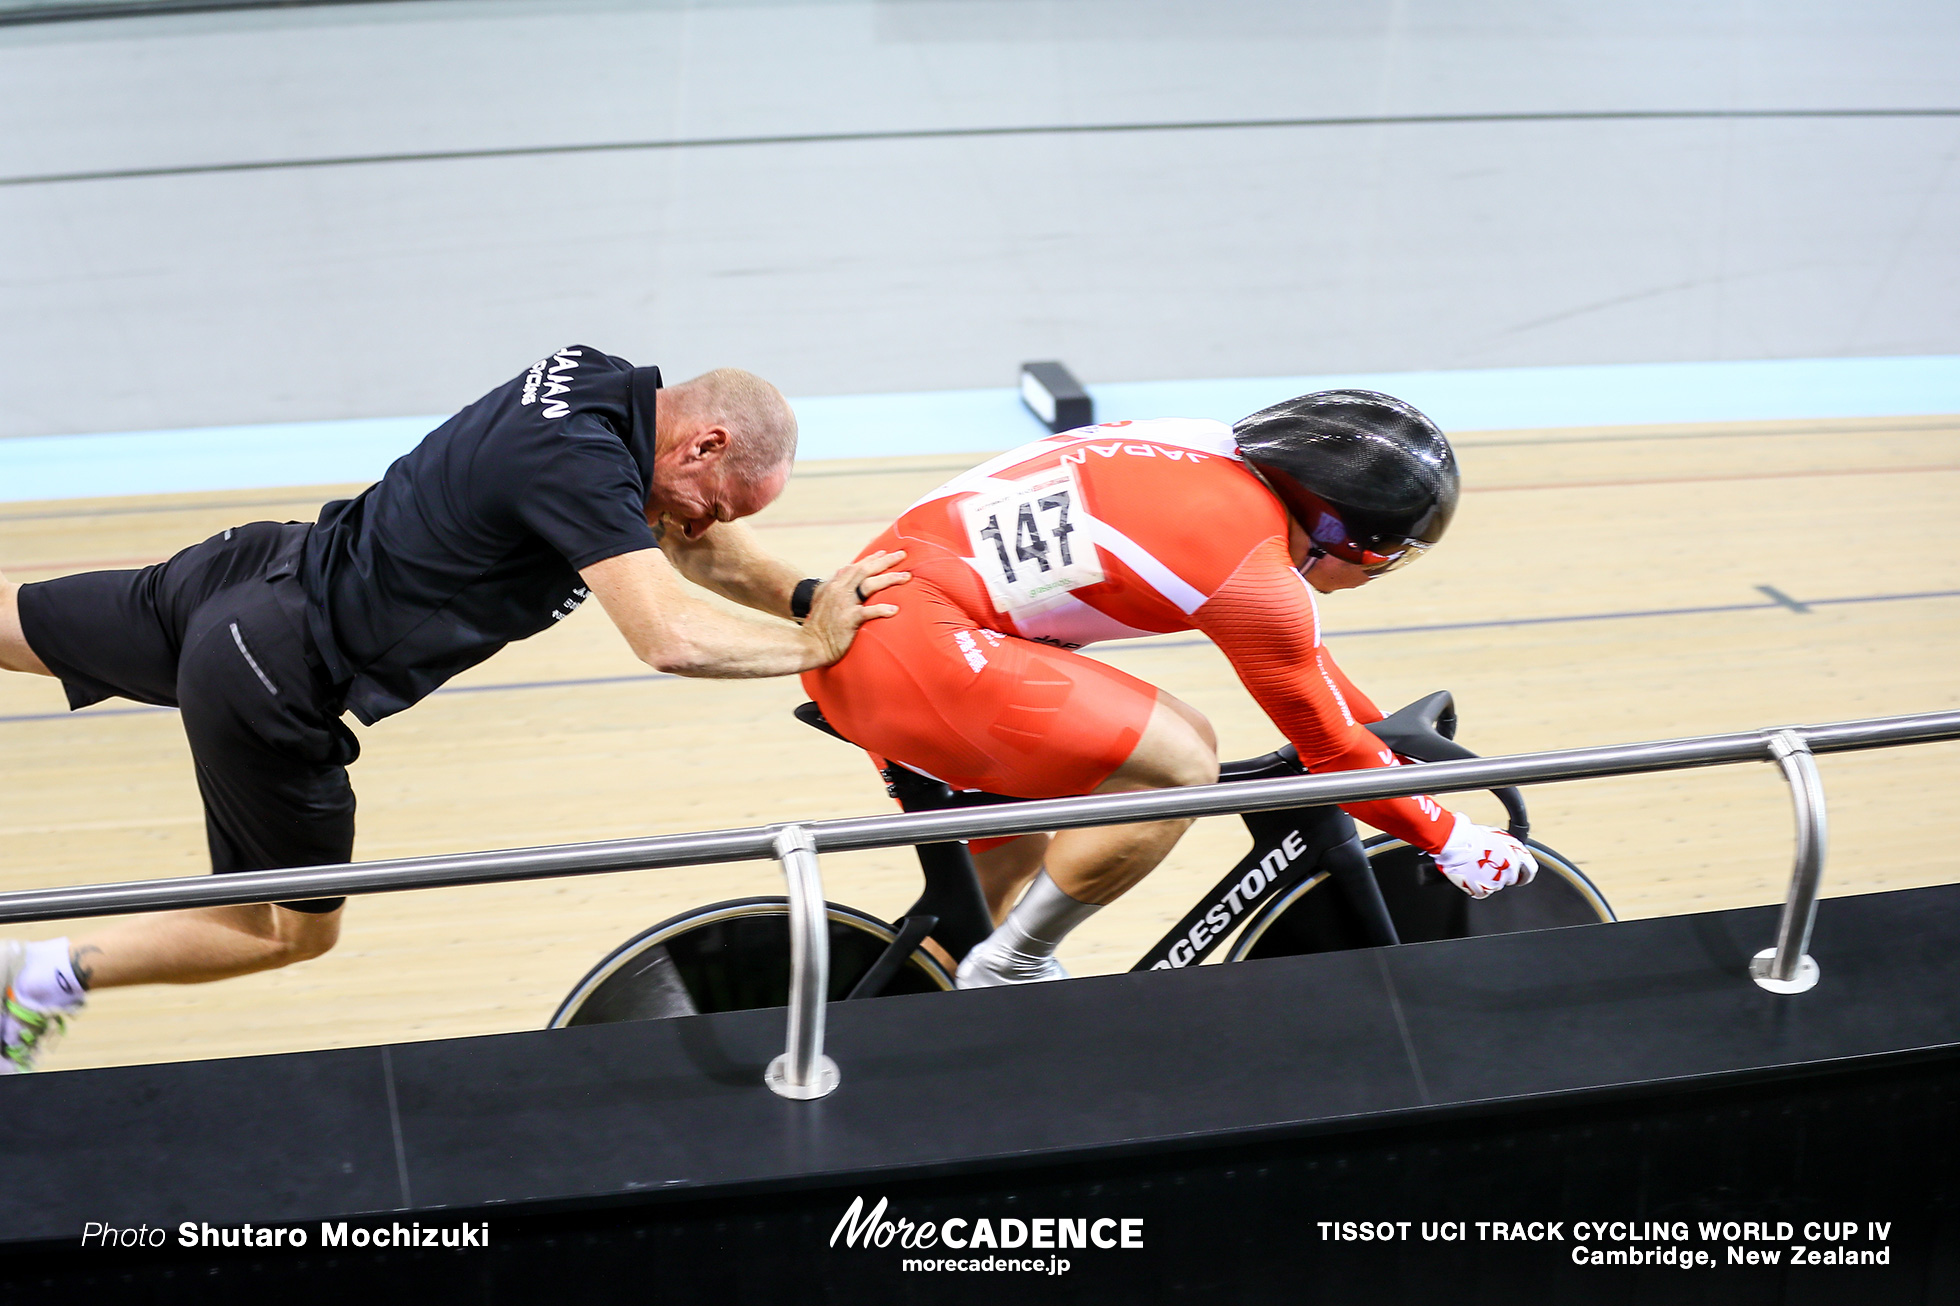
[732,958]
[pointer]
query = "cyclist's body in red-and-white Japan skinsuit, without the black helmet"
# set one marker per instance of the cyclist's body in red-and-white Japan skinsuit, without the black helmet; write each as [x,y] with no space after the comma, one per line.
[1110,532]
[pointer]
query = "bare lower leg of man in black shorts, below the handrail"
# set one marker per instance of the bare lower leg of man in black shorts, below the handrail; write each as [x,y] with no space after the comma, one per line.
[203,944]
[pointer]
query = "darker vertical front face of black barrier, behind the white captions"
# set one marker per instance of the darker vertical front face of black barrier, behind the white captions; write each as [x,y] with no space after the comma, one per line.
[1716,1187]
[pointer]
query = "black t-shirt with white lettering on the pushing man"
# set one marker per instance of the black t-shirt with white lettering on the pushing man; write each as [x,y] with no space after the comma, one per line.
[475,538]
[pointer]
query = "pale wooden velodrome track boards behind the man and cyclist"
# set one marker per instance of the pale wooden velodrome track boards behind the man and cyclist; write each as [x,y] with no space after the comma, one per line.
[1598,587]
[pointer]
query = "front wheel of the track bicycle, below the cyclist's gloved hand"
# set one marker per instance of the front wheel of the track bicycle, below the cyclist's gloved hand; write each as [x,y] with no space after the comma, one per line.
[1316,917]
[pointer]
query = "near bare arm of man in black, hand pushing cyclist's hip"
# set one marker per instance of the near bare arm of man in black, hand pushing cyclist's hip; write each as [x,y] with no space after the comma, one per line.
[675,632]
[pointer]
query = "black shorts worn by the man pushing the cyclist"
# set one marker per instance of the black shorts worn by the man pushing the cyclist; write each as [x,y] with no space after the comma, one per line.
[220,632]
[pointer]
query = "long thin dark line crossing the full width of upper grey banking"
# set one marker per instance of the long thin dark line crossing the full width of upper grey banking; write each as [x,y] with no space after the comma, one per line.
[961,134]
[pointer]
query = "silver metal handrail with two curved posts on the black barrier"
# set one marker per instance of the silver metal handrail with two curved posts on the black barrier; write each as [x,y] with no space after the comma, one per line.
[803,1072]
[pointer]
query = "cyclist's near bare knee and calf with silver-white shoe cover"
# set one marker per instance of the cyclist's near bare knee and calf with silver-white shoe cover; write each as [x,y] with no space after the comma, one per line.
[1093,868]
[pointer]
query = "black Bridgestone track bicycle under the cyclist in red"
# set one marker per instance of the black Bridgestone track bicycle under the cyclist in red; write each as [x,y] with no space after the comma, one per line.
[1308,885]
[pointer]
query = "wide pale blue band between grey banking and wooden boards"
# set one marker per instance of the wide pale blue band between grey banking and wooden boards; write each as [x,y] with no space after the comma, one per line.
[861,427]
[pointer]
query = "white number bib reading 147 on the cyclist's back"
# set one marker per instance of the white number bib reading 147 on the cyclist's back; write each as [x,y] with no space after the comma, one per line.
[1030,544]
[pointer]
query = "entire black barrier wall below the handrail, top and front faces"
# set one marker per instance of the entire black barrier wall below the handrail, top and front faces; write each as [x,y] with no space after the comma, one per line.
[1612,1097]
